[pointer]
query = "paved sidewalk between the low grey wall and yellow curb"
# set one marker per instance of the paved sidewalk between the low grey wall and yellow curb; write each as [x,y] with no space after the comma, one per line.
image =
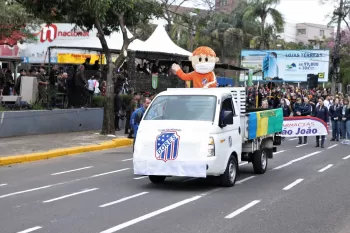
[42,143]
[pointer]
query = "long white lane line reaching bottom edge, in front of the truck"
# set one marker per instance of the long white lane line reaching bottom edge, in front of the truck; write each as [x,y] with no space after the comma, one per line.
[150,215]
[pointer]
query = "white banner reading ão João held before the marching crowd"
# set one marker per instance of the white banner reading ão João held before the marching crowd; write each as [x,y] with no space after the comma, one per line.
[304,126]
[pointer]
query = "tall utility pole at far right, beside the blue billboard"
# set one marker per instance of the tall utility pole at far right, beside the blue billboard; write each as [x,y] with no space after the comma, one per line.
[336,56]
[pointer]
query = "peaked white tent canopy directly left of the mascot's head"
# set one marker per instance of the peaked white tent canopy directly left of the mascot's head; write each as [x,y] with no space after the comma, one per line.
[160,42]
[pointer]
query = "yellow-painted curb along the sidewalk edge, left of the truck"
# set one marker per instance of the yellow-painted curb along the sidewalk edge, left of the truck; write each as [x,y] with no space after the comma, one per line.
[115,143]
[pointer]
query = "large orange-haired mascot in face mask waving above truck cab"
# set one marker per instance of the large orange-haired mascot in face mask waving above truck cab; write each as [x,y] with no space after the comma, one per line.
[203,62]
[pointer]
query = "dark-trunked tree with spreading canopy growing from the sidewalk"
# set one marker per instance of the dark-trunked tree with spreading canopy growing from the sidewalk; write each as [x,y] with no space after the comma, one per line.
[106,16]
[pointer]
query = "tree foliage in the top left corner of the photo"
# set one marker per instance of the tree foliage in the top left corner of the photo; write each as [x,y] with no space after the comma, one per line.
[16,23]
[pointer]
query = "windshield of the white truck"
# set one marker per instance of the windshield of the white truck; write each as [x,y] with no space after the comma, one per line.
[182,107]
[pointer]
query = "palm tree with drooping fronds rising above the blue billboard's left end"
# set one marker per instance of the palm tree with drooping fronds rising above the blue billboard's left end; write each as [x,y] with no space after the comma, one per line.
[261,9]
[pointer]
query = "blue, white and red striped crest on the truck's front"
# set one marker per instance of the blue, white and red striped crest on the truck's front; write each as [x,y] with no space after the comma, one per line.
[167,146]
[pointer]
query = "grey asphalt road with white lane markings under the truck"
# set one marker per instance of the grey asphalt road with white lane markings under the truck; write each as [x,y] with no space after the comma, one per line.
[306,190]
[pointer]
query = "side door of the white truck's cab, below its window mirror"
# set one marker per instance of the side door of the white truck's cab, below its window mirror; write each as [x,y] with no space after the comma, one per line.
[230,138]
